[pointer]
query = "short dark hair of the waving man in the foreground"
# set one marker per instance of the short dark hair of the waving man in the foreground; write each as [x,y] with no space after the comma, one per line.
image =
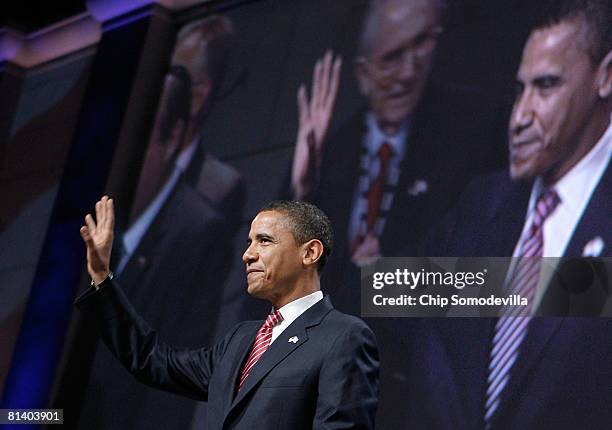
[307,222]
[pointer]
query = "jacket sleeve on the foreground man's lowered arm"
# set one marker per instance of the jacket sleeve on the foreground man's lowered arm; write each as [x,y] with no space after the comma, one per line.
[348,382]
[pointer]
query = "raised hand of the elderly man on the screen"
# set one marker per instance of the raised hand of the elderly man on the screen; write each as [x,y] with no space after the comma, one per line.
[314,117]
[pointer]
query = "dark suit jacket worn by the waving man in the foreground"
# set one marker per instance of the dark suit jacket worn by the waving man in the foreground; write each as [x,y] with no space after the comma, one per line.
[328,379]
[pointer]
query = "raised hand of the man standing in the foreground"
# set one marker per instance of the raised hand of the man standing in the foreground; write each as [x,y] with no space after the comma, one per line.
[99,239]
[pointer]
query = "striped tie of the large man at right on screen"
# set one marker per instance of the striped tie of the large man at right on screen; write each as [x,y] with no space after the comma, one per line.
[511,328]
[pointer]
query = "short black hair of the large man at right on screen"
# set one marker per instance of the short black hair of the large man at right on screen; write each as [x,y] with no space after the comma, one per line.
[598,17]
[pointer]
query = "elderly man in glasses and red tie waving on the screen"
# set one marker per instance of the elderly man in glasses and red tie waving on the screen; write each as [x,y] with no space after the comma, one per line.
[394,167]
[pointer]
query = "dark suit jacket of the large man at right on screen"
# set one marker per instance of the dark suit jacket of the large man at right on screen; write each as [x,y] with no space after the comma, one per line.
[563,376]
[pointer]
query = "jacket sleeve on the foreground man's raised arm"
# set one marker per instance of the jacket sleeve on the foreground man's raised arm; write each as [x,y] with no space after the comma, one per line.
[178,370]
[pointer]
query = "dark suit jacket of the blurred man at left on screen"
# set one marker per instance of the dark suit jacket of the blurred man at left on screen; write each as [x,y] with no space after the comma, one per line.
[176,273]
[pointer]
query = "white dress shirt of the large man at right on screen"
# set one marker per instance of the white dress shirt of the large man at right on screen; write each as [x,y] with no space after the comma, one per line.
[575,189]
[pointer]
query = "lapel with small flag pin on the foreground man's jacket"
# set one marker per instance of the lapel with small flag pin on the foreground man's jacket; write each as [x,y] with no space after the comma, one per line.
[279,350]
